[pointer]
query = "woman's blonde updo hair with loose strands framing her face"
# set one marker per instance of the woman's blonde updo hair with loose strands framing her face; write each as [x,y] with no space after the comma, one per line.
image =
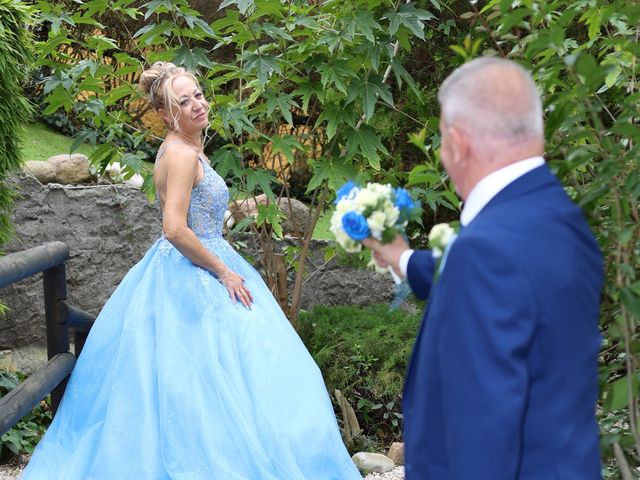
[156,83]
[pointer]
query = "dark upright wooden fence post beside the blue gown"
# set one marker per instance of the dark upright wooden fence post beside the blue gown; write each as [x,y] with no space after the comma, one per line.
[55,290]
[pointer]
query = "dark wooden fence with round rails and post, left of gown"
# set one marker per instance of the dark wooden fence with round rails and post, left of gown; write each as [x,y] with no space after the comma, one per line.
[60,317]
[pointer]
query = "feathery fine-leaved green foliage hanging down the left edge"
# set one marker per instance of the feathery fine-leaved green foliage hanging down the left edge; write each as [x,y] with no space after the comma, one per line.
[15,58]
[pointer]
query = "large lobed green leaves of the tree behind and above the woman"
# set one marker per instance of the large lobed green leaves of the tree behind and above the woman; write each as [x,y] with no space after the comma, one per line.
[297,63]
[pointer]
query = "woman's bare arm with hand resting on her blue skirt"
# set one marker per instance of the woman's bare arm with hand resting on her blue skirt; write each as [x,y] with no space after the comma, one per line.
[181,165]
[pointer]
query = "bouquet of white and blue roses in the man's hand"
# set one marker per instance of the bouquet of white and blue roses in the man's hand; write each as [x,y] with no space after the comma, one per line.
[375,210]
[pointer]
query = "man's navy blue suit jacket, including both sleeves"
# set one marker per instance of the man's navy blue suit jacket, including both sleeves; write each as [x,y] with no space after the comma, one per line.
[502,383]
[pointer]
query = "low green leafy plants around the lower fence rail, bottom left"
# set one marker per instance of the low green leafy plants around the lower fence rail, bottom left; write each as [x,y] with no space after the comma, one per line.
[26,434]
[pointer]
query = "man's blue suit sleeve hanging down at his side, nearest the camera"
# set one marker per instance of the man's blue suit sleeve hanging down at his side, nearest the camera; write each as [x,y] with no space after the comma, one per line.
[489,314]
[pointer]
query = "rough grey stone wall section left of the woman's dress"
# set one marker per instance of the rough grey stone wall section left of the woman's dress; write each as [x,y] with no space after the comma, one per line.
[107,229]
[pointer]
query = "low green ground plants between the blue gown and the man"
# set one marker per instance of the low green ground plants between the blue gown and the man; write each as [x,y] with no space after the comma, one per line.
[364,351]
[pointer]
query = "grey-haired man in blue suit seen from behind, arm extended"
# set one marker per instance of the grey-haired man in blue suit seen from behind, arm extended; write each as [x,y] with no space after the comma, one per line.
[502,383]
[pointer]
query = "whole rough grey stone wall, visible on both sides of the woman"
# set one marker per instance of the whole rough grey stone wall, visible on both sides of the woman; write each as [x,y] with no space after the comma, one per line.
[108,228]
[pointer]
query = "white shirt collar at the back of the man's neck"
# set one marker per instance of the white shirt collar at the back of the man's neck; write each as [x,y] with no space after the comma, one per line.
[492,184]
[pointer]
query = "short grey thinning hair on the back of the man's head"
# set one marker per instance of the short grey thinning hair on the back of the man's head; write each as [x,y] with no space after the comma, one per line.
[493,97]
